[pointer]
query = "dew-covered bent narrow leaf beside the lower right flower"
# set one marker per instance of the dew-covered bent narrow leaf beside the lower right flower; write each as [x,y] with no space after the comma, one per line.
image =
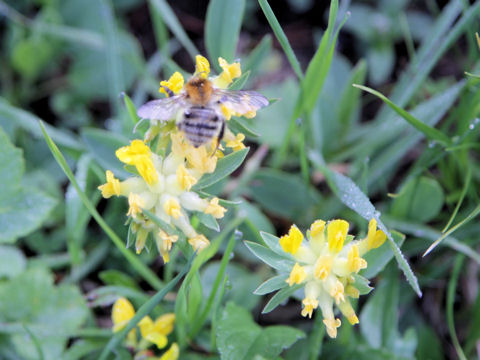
[351,195]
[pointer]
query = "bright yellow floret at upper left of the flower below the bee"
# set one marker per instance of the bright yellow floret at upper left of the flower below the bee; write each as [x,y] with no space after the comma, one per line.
[140,155]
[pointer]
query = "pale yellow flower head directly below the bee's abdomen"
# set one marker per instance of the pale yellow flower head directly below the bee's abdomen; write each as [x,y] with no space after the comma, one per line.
[164,188]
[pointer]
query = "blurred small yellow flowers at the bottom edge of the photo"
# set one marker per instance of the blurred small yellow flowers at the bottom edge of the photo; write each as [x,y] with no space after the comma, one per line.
[152,332]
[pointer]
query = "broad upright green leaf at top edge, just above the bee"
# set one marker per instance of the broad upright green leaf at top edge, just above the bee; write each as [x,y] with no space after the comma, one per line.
[222,28]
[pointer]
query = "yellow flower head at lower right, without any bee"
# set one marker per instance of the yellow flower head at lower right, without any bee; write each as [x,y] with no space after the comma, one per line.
[325,265]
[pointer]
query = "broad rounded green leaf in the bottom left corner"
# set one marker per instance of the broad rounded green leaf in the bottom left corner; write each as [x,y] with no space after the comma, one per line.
[49,312]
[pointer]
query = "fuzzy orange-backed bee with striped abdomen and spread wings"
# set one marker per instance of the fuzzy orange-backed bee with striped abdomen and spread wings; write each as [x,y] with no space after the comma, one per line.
[200,101]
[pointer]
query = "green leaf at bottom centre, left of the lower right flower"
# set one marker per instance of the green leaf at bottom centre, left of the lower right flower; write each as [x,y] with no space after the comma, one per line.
[239,338]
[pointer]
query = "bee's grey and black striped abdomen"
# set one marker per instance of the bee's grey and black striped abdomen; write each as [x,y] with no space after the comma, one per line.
[200,125]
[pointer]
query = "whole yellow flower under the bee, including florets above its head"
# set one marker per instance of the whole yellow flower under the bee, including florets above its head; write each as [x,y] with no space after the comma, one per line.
[164,182]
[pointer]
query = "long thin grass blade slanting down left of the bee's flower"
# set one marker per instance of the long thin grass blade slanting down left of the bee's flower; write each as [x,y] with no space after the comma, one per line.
[142,269]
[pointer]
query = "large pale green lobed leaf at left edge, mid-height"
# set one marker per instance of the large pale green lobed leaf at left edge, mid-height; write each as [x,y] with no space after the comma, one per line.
[23,208]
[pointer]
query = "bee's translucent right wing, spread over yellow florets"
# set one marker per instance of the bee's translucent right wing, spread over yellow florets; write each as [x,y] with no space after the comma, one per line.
[241,101]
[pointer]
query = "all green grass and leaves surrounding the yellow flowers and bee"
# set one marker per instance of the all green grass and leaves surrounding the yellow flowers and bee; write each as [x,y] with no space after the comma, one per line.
[371,115]
